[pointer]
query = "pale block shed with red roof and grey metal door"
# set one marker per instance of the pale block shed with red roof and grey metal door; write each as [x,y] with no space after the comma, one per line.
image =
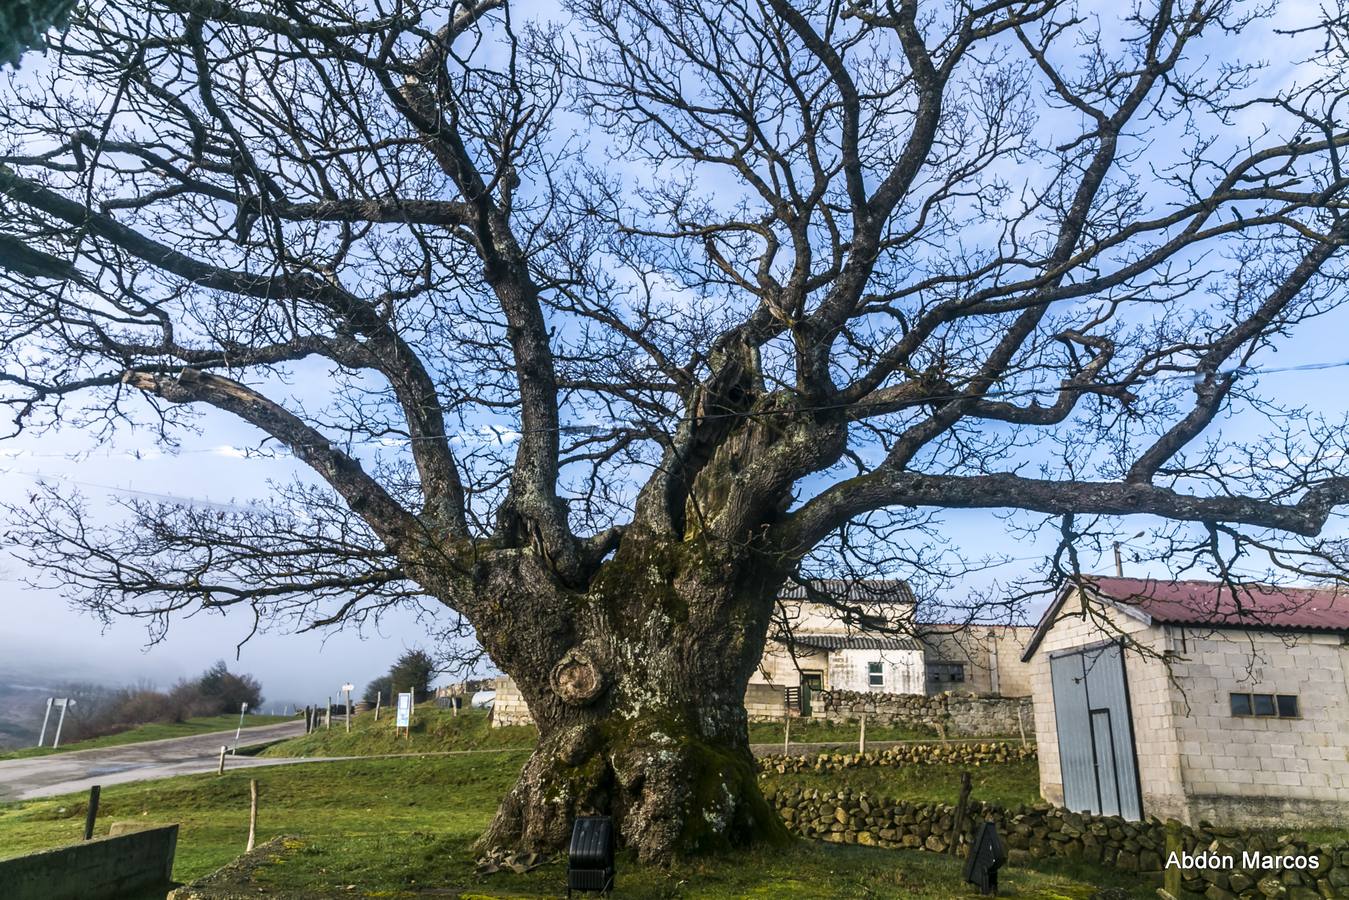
[1195,701]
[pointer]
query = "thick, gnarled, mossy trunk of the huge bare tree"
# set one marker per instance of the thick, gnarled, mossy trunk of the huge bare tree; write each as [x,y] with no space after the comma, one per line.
[637,687]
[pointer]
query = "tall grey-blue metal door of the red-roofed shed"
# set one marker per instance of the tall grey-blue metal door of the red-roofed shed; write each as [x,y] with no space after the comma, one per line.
[1096,732]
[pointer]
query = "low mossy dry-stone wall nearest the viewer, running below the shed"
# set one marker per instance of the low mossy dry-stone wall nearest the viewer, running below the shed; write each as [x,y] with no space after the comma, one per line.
[1041,832]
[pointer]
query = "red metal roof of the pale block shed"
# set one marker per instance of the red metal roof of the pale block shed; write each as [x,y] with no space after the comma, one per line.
[1223,607]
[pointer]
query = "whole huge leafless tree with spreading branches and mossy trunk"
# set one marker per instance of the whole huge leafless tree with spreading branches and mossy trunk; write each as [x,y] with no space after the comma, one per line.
[720,283]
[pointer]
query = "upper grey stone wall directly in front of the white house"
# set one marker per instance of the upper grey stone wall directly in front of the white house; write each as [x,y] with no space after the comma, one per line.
[953,714]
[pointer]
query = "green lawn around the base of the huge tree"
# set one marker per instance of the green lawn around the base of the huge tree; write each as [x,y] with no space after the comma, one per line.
[401,828]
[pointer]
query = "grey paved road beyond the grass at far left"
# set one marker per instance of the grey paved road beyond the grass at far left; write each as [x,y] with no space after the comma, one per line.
[44,777]
